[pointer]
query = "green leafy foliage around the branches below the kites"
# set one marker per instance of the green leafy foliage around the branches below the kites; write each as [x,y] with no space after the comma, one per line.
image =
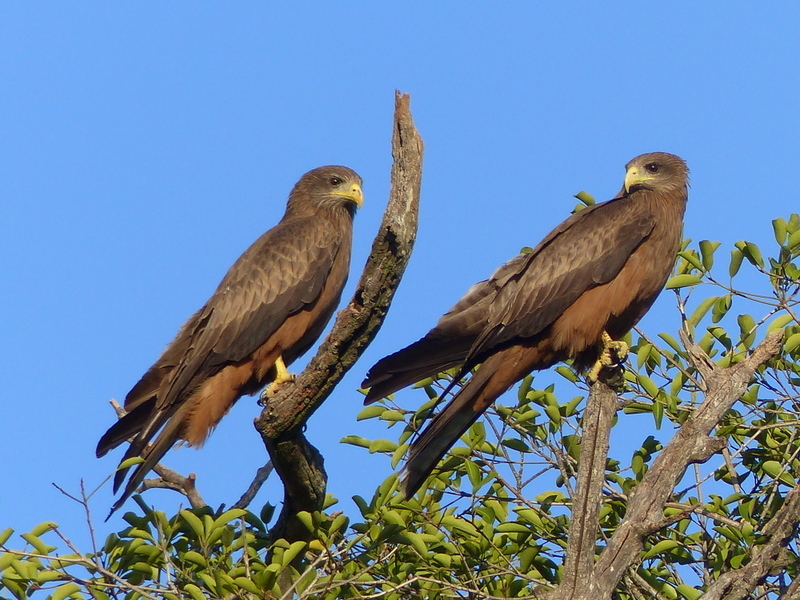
[495,517]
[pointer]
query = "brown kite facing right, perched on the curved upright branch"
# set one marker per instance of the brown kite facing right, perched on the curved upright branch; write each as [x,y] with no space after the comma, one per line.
[270,307]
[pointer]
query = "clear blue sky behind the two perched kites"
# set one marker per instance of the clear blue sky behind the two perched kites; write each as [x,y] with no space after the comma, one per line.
[145,145]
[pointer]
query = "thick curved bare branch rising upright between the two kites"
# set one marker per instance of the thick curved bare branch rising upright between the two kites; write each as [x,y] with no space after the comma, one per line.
[299,464]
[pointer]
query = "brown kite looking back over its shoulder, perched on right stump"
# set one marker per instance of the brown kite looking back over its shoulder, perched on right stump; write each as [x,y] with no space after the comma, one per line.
[587,283]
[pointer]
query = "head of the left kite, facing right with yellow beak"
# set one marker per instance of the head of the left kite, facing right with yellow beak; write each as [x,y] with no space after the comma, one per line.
[328,187]
